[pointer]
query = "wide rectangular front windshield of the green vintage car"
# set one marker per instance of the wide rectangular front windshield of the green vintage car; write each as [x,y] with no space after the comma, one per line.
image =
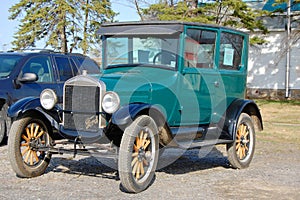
[160,51]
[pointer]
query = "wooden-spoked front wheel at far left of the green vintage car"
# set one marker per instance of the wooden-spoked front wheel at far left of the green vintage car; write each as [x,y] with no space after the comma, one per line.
[25,135]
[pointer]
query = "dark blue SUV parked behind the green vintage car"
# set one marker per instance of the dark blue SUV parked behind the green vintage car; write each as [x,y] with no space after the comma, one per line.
[28,73]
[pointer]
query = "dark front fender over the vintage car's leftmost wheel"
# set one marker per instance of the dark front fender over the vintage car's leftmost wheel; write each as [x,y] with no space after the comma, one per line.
[25,105]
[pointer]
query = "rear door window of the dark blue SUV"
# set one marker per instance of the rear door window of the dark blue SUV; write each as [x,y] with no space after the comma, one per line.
[64,68]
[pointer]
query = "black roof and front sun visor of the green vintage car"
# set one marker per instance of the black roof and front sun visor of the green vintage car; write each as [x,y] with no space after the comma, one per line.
[151,27]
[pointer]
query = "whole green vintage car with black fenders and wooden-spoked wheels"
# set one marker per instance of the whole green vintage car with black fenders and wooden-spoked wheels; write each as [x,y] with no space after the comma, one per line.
[163,85]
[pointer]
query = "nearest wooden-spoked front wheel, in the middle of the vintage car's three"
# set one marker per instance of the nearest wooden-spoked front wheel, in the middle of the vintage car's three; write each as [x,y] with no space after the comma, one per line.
[138,154]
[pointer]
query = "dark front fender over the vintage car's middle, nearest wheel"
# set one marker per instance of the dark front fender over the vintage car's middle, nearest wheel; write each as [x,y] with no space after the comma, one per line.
[126,114]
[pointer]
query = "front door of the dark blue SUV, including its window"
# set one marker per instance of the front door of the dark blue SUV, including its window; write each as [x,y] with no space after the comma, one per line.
[42,66]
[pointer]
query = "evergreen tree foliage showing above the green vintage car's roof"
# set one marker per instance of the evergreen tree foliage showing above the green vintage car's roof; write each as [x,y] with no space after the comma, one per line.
[233,13]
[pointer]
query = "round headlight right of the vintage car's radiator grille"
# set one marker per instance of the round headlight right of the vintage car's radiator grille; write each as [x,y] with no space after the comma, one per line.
[110,102]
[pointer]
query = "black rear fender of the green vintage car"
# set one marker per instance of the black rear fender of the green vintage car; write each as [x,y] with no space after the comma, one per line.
[230,119]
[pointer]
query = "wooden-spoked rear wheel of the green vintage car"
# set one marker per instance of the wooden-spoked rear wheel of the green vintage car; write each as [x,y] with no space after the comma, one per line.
[241,151]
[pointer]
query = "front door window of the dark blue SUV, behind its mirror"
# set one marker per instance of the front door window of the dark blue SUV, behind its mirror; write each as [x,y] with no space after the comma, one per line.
[41,66]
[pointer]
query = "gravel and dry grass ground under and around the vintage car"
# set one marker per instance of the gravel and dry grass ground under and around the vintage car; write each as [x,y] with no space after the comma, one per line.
[273,174]
